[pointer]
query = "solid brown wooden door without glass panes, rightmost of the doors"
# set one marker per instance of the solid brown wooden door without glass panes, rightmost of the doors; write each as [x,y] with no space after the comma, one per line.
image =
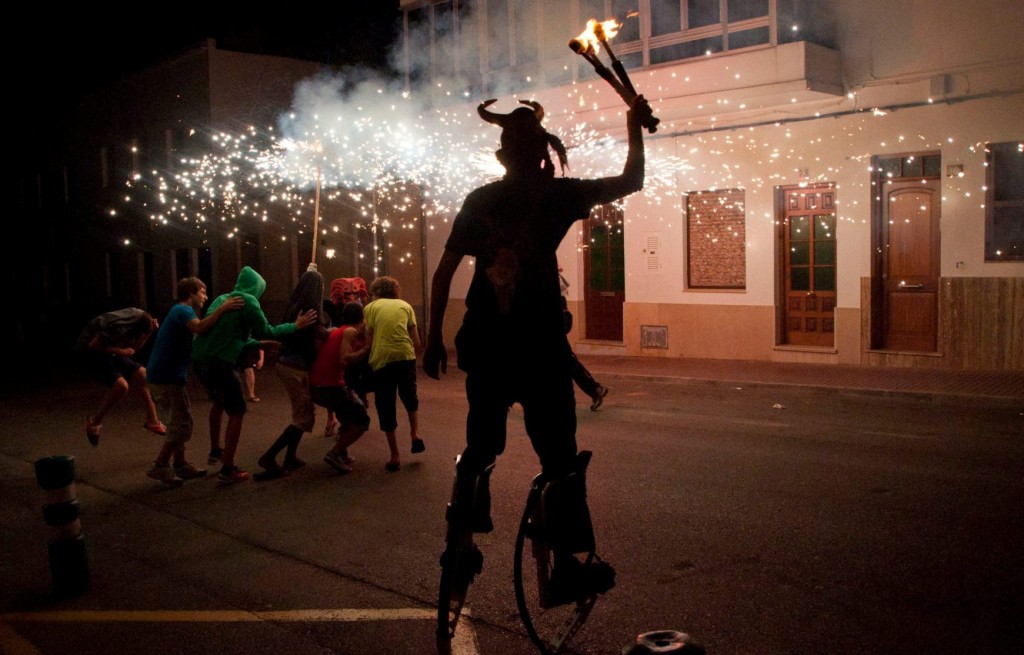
[911,265]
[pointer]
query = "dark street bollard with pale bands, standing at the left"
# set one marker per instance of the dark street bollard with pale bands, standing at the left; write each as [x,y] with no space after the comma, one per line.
[69,563]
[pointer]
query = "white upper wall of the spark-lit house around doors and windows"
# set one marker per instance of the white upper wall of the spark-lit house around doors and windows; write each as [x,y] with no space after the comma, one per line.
[893,54]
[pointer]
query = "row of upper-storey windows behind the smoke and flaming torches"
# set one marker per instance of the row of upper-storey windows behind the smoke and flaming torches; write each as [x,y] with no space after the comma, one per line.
[515,46]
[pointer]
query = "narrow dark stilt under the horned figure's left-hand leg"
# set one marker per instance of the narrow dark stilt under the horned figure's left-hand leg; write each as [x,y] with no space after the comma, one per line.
[461,562]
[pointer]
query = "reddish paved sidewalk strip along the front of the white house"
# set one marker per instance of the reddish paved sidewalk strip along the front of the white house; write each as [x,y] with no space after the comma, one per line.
[924,382]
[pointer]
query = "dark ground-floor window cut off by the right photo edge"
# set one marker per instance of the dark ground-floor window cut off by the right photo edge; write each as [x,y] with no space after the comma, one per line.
[1005,202]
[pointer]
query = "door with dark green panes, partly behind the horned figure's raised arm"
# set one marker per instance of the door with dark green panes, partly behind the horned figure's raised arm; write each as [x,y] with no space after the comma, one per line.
[605,272]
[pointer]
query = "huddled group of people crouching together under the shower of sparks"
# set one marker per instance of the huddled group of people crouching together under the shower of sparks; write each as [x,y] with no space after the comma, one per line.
[327,355]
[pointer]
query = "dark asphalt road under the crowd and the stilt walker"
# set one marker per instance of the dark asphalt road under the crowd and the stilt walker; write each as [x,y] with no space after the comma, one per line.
[759,521]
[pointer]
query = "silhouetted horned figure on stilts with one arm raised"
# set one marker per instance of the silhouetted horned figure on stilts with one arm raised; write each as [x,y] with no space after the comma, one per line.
[513,342]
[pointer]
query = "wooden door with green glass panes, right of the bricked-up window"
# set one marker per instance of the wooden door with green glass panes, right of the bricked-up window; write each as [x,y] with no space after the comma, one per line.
[807,248]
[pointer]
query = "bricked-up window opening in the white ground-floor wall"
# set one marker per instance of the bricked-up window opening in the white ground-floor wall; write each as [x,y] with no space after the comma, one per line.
[716,240]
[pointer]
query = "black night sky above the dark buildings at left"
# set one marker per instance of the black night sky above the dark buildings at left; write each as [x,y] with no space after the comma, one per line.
[61,52]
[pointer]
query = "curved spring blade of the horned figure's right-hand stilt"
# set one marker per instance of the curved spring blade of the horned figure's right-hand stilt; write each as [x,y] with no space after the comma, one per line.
[551,626]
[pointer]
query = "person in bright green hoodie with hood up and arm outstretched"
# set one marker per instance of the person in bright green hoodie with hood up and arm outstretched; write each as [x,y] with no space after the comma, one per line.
[219,355]
